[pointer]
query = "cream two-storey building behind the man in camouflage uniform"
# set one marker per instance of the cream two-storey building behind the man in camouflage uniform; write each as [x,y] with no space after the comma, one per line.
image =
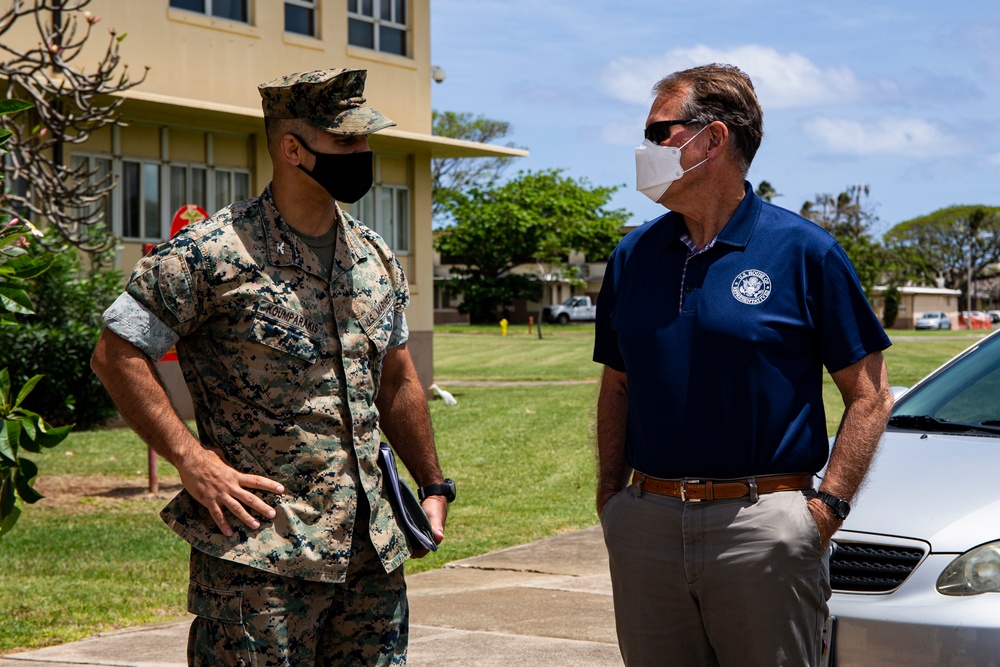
[195,127]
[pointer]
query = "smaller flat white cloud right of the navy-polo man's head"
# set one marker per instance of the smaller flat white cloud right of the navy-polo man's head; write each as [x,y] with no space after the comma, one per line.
[909,137]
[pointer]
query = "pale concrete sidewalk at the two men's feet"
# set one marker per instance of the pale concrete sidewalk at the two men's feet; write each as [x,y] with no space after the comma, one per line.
[545,603]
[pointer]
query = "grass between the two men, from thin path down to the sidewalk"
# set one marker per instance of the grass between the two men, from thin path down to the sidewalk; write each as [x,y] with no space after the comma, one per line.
[523,460]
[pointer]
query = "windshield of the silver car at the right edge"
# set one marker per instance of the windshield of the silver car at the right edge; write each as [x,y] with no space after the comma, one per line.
[963,397]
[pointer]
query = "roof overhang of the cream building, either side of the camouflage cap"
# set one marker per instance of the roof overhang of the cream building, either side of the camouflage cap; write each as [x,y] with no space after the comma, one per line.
[189,112]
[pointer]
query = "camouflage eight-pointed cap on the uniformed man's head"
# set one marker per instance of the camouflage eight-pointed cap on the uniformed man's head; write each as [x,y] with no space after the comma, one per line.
[330,99]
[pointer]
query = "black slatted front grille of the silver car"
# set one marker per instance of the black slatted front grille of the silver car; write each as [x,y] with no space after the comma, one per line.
[871,568]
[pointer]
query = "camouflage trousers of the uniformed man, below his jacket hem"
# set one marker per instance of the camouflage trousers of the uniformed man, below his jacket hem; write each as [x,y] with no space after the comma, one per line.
[253,618]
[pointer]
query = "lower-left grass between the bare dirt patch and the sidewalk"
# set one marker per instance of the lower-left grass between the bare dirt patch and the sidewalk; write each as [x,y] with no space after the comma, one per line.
[101,564]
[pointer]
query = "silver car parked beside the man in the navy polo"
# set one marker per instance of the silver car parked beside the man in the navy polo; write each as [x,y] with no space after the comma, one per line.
[916,566]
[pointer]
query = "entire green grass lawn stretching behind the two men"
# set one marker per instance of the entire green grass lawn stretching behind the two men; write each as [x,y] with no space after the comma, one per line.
[95,556]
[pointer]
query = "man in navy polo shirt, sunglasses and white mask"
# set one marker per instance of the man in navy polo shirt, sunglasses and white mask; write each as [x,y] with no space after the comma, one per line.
[714,325]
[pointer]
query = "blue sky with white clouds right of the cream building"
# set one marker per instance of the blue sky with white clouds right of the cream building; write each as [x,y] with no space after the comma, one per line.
[902,96]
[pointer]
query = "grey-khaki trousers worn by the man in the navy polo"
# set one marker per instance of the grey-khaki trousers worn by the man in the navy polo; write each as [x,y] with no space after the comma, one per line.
[722,583]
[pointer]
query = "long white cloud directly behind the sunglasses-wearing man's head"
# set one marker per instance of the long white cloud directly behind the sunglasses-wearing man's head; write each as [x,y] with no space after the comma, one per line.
[782,80]
